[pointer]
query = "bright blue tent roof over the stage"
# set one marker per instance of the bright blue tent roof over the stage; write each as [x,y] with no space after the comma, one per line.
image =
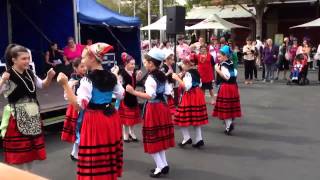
[91,12]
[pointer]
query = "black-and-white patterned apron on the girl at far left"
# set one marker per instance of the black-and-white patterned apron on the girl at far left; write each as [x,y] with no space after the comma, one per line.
[27,115]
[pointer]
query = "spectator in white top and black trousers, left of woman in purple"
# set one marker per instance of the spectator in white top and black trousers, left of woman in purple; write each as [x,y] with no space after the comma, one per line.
[249,57]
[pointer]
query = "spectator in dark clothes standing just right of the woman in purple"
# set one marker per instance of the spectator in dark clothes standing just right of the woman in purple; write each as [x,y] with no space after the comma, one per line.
[284,59]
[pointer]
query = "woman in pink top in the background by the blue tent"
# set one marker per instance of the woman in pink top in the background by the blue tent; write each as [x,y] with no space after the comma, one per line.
[72,51]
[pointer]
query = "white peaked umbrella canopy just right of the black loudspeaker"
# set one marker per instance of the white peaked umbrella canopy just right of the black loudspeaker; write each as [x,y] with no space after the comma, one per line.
[214,22]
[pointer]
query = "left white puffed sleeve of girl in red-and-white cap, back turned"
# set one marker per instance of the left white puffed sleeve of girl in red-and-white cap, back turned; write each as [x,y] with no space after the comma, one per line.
[84,92]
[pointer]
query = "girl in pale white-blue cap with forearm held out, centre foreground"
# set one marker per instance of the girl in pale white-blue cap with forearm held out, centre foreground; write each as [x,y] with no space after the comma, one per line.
[157,130]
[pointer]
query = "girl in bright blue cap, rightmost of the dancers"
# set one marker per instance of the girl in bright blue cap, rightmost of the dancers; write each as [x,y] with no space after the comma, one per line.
[227,106]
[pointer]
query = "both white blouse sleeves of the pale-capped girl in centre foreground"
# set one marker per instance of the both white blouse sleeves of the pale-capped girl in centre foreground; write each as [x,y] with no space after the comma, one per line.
[151,87]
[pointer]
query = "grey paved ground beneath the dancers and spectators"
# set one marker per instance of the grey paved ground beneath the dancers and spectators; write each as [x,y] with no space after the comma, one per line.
[277,139]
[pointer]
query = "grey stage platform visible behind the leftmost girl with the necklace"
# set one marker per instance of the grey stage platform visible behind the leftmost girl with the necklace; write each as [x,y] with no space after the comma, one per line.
[52,104]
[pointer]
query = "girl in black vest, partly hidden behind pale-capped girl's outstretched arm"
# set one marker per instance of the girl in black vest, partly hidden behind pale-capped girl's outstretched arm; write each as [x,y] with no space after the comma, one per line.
[129,110]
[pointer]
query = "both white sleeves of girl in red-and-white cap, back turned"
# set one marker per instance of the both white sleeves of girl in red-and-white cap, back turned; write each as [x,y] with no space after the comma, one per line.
[84,91]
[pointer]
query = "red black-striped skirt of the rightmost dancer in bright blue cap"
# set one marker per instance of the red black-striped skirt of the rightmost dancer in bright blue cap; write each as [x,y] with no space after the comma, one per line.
[228,102]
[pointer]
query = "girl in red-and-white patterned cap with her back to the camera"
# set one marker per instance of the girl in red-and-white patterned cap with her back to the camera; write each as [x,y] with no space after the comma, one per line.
[100,146]
